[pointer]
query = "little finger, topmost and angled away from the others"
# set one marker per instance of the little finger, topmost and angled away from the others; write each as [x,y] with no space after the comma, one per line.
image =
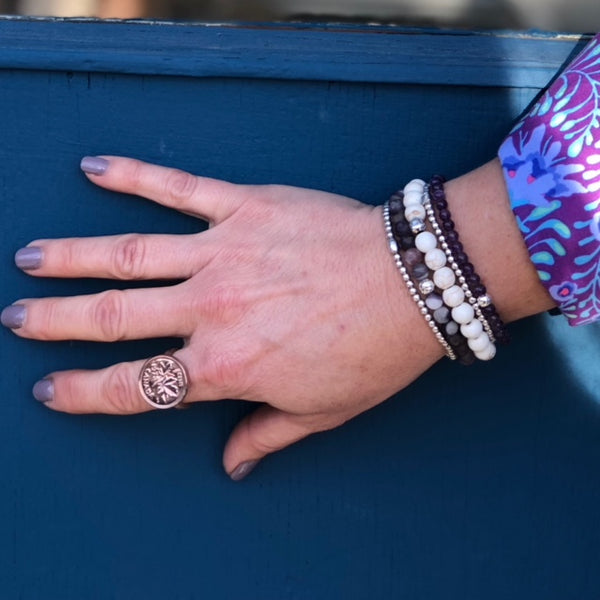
[210,199]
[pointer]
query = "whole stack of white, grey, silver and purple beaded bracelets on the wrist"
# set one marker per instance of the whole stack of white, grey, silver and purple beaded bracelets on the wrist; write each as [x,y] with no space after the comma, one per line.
[433,275]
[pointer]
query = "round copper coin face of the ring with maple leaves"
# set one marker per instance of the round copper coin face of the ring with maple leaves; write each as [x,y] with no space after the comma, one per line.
[163,382]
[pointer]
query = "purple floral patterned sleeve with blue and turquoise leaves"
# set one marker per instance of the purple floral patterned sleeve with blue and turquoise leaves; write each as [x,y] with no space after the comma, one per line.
[551,163]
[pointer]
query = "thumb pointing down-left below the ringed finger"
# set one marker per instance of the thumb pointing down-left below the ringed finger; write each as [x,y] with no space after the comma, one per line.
[264,431]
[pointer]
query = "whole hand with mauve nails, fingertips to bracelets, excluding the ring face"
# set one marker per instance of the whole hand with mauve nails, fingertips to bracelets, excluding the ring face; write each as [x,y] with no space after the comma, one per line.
[290,299]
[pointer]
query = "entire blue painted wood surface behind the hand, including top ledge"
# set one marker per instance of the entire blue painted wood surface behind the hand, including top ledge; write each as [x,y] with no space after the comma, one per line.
[478,483]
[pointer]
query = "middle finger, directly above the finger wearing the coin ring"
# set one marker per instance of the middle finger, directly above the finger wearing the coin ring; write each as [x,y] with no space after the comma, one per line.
[111,316]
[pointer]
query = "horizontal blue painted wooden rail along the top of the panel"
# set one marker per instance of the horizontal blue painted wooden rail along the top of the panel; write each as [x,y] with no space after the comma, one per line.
[338,53]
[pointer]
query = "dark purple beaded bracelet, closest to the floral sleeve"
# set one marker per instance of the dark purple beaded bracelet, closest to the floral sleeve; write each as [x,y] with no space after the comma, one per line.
[470,281]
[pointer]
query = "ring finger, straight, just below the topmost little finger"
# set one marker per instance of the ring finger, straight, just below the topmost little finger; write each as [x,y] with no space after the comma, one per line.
[130,256]
